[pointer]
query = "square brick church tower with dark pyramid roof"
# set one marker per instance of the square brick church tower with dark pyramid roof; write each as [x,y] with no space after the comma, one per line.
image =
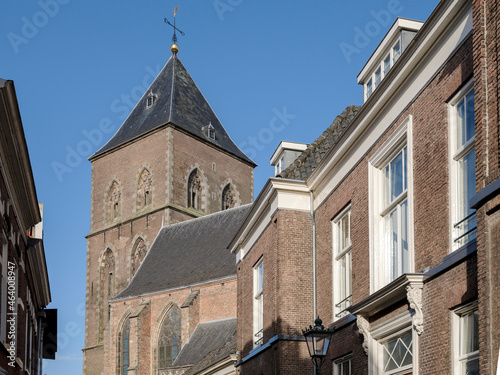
[170,161]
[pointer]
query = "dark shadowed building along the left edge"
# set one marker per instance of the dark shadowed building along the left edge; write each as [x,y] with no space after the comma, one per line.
[28,331]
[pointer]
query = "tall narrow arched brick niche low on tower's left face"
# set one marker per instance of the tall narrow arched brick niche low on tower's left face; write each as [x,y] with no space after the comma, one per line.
[107,289]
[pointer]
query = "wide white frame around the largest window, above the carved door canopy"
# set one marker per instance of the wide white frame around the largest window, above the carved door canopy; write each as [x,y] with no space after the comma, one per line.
[379,261]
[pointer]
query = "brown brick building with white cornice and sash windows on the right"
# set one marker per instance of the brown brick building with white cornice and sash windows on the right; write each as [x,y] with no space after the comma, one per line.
[399,201]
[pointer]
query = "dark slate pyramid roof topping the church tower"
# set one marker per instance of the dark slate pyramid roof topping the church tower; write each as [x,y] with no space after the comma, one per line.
[178,102]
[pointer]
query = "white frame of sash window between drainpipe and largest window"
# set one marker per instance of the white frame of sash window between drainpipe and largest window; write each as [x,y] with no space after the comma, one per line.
[338,255]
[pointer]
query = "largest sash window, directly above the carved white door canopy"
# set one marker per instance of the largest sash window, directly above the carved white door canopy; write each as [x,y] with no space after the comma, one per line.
[391,212]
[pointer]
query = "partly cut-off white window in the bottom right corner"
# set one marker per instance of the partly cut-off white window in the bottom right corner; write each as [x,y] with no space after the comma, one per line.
[466,341]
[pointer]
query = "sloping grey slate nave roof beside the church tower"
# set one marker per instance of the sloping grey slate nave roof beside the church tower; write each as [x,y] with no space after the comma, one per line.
[188,253]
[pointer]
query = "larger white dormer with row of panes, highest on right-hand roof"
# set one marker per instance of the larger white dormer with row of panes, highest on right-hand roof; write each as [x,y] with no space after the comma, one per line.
[387,54]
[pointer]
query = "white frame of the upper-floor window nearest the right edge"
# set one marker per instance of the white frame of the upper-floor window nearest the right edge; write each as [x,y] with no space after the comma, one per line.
[455,155]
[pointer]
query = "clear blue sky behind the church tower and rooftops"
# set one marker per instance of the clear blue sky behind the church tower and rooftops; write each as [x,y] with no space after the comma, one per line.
[78,68]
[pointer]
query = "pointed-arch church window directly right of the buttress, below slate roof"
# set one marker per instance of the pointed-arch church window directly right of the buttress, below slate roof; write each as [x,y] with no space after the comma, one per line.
[169,342]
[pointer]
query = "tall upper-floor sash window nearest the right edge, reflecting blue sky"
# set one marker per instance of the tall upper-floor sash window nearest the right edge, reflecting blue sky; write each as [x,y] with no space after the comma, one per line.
[464,168]
